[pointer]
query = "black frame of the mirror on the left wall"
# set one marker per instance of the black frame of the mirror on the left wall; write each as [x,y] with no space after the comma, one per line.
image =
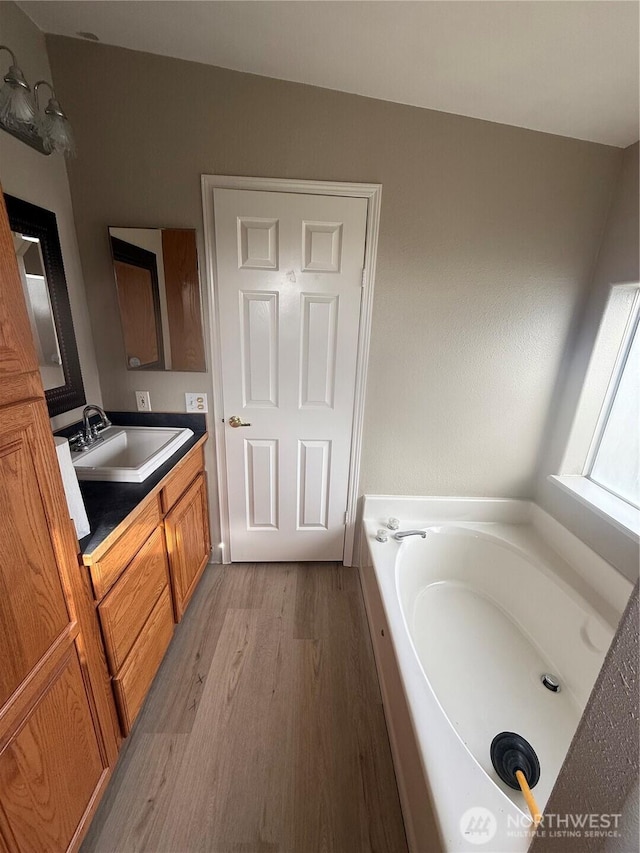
[37,222]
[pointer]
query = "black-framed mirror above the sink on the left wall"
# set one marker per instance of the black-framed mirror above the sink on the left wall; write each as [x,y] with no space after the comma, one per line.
[37,246]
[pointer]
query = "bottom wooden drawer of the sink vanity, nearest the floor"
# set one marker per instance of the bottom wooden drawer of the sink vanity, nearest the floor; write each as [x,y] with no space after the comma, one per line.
[134,679]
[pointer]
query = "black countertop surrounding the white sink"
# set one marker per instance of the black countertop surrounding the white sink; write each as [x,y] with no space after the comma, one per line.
[108,504]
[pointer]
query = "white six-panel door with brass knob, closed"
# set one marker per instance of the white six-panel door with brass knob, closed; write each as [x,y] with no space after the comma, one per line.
[289,278]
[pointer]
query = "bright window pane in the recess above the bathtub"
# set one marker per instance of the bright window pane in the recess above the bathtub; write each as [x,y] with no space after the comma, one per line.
[614,462]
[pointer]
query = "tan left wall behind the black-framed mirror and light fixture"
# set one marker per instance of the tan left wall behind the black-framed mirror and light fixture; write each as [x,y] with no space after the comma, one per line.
[43,181]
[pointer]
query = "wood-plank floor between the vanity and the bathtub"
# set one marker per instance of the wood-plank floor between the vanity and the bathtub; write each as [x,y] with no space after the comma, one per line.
[264,730]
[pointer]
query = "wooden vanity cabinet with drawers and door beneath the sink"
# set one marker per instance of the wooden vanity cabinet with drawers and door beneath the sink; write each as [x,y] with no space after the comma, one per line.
[144,575]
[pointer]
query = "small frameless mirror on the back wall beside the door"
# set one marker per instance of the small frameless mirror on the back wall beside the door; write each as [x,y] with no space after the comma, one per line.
[156,275]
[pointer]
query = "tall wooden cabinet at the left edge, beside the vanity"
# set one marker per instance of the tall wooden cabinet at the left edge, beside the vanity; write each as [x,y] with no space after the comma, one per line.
[58,729]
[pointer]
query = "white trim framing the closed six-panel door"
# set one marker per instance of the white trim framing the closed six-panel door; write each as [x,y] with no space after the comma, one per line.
[373,194]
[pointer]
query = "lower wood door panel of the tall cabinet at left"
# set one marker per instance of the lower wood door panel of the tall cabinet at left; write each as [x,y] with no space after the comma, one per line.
[51,769]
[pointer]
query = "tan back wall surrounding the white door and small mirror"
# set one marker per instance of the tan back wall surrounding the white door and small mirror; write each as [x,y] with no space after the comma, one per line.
[487,242]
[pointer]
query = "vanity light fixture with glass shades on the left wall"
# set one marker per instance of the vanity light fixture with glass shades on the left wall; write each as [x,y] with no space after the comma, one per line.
[21,116]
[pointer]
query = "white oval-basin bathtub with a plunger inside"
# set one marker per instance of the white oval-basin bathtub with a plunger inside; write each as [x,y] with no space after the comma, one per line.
[464,623]
